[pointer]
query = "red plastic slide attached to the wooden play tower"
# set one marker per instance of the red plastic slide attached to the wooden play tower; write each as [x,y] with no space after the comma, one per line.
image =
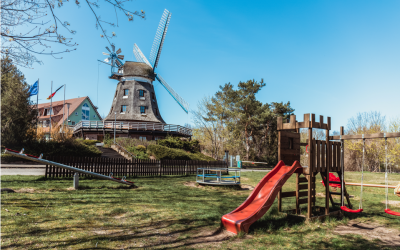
[260,200]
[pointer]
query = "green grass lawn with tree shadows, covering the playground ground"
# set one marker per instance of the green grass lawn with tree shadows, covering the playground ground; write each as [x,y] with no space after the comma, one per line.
[164,213]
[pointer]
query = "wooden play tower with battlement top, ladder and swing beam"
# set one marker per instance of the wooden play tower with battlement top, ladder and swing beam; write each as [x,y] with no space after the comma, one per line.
[324,157]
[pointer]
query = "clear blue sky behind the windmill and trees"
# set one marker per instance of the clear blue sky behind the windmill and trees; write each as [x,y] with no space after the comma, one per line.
[331,58]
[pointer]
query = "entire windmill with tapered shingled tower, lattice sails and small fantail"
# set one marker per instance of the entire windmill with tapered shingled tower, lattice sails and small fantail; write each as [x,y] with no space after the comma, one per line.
[135,98]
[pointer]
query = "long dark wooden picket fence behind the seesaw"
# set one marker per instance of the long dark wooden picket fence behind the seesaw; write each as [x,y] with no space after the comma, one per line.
[124,167]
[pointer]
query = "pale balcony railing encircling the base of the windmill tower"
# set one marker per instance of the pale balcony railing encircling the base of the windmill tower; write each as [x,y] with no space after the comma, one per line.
[147,126]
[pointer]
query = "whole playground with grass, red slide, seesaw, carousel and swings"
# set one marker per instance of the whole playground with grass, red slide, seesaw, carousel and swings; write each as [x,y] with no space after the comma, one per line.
[285,207]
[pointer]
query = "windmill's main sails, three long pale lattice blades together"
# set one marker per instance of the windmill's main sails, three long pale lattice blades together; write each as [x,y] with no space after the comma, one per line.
[155,57]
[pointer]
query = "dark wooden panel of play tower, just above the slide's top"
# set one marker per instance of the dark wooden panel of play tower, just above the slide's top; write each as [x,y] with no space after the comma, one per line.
[288,147]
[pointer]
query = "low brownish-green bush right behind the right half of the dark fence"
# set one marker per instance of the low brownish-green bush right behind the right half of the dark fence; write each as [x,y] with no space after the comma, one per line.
[164,153]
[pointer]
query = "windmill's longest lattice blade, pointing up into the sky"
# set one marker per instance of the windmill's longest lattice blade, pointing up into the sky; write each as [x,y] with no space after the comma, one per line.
[159,39]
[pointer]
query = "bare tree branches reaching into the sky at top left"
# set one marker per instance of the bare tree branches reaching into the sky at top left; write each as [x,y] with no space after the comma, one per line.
[33,27]
